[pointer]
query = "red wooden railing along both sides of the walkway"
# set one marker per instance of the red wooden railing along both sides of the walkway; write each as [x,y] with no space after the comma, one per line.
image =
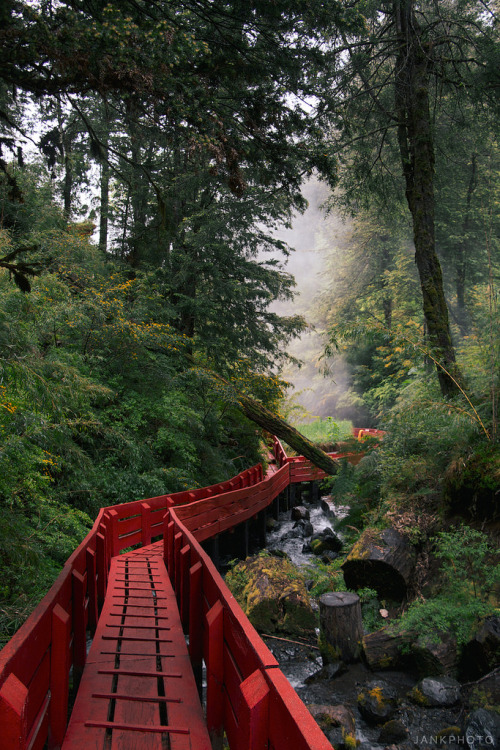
[41,665]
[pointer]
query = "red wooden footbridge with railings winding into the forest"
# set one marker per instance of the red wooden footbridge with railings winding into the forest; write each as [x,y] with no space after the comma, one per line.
[140,684]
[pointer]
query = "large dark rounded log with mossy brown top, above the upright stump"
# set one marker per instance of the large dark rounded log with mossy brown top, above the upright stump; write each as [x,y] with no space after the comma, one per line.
[382,560]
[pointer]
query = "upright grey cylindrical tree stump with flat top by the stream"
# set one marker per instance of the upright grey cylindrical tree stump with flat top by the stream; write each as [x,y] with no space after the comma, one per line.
[341,626]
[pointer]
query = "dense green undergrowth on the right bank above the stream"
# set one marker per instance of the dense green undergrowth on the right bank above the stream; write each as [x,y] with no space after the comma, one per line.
[435,477]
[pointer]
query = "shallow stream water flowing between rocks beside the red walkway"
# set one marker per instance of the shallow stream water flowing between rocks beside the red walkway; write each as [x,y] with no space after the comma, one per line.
[301,663]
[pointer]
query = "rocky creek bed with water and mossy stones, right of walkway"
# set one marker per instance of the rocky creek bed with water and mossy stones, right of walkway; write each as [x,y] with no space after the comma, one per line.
[359,706]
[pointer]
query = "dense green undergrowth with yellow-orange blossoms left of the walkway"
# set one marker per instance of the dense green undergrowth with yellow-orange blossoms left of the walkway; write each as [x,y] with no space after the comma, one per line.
[102,399]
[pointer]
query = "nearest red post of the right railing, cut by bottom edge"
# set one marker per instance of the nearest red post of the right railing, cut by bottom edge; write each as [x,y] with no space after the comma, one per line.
[254,712]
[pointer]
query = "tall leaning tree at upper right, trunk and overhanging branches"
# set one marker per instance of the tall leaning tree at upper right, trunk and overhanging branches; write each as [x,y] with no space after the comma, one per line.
[386,82]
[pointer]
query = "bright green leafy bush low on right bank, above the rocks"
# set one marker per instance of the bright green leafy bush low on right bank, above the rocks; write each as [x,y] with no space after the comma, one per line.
[470,575]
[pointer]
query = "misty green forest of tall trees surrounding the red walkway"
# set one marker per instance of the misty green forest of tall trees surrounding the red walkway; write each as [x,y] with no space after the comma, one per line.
[150,155]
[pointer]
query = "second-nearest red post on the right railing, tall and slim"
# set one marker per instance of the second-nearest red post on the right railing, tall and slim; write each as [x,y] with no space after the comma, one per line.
[215,674]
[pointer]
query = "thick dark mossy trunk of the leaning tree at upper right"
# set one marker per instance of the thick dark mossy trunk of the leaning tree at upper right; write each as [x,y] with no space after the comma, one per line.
[417,159]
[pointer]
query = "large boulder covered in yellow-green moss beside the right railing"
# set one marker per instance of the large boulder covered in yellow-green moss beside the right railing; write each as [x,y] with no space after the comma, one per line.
[273,595]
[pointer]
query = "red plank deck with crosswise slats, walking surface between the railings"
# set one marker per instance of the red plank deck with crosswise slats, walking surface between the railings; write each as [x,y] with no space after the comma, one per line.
[138,688]
